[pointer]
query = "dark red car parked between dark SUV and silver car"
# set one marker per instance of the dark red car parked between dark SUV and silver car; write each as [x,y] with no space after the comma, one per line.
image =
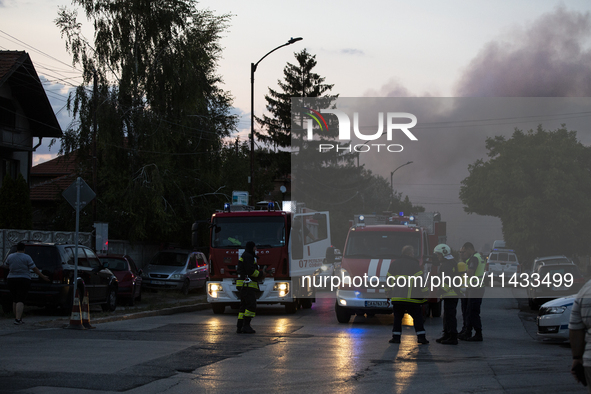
[128,276]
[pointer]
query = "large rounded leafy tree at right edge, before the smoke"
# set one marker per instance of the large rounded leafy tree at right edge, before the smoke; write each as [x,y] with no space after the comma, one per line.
[538,184]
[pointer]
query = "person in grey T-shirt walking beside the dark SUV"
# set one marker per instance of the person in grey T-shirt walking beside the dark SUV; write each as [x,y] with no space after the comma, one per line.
[19,279]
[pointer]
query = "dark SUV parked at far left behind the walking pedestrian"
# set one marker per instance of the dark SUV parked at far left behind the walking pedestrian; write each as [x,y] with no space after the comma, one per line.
[57,262]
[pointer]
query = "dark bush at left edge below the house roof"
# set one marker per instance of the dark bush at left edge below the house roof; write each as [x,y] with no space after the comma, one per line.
[15,205]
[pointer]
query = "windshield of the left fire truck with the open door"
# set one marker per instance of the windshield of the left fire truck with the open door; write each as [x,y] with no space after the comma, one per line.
[235,232]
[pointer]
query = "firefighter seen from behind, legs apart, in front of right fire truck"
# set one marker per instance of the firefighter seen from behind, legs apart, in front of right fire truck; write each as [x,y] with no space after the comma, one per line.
[407,299]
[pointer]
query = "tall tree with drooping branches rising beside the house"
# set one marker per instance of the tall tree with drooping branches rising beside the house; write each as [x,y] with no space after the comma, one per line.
[160,114]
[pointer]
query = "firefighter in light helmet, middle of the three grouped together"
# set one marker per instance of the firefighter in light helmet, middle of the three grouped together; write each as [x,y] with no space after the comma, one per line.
[448,268]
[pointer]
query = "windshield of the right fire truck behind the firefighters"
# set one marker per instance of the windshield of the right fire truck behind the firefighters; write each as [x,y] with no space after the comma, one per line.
[380,244]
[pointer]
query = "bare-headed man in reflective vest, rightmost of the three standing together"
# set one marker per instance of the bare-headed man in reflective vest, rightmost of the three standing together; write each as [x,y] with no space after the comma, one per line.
[474,293]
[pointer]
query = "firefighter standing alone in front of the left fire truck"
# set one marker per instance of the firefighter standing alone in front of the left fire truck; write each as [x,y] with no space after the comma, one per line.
[249,276]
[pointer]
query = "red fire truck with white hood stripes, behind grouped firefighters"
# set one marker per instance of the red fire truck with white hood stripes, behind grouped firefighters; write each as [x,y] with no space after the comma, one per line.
[373,241]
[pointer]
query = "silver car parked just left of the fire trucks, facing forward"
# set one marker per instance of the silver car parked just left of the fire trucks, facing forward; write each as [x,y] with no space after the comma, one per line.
[176,269]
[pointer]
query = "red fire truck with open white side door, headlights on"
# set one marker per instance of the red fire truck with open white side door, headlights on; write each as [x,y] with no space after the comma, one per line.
[289,246]
